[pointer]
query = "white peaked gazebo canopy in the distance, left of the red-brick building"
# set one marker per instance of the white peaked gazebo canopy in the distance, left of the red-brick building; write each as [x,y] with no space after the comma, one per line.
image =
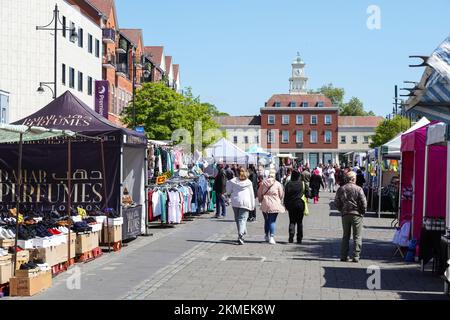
[225,151]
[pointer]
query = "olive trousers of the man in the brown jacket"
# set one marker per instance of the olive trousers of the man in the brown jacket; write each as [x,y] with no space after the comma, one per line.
[352,222]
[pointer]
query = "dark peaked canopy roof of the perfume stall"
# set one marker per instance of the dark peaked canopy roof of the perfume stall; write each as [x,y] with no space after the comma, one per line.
[67,112]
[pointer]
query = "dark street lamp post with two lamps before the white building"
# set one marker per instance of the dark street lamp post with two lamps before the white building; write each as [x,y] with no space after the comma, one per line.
[55,29]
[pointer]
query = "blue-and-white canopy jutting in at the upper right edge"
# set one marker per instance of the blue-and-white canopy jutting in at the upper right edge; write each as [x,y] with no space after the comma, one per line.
[432,95]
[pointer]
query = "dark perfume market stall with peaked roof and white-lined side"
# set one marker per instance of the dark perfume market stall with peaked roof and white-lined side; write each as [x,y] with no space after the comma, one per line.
[124,176]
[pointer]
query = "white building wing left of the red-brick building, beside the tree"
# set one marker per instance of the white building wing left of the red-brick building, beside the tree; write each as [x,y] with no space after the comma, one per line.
[243,131]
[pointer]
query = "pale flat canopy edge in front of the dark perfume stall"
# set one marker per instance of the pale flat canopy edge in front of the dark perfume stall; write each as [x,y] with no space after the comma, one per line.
[10,133]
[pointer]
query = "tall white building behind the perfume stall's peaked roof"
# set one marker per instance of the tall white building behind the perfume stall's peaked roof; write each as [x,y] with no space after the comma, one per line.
[27,54]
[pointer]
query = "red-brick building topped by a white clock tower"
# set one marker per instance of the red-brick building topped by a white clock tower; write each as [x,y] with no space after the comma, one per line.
[301,124]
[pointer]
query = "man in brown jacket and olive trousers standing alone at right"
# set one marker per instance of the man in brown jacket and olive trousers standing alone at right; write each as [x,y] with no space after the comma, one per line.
[351,202]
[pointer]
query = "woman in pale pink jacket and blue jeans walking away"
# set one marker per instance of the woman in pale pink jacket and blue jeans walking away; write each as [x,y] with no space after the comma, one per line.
[270,195]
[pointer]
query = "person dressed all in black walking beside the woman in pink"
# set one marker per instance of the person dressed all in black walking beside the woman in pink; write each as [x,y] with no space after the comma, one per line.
[294,191]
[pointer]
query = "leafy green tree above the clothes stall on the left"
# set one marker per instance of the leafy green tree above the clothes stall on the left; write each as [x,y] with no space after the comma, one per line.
[161,111]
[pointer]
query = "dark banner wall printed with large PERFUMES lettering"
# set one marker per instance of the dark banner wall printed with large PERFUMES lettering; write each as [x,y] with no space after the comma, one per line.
[45,177]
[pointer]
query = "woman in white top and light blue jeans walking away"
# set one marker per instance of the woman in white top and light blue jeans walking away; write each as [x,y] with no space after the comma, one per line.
[242,197]
